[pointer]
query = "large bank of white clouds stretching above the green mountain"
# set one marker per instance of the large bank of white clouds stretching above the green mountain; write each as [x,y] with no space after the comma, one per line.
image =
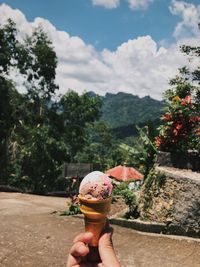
[138,66]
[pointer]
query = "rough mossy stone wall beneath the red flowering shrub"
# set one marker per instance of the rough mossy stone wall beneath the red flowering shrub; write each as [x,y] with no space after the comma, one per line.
[175,201]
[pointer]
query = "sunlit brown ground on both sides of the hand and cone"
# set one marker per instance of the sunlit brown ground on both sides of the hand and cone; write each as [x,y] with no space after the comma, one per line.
[31,234]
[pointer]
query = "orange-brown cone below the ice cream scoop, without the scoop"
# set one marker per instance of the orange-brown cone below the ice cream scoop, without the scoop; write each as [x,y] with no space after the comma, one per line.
[95,213]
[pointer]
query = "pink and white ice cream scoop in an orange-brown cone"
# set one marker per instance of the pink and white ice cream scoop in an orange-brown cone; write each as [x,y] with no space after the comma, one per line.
[95,199]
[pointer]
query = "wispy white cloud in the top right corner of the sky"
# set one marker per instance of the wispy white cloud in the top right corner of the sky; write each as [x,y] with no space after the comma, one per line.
[190,17]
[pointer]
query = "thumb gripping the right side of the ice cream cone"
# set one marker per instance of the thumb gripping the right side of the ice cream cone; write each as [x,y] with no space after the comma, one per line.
[106,250]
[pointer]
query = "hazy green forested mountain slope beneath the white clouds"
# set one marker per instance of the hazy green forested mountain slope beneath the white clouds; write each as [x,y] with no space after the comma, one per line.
[123,109]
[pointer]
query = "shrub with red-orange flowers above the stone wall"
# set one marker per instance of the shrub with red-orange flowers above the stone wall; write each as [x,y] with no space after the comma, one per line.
[180,130]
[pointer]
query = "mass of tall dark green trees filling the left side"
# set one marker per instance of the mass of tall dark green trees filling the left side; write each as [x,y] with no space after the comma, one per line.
[38,134]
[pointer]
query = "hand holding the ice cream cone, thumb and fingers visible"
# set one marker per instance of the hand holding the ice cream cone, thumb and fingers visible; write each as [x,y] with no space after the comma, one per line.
[81,255]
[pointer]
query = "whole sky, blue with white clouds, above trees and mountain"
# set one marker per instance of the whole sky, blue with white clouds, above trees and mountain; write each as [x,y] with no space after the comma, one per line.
[127,45]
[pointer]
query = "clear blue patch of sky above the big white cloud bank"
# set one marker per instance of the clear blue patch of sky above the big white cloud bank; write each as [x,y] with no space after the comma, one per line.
[100,26]
